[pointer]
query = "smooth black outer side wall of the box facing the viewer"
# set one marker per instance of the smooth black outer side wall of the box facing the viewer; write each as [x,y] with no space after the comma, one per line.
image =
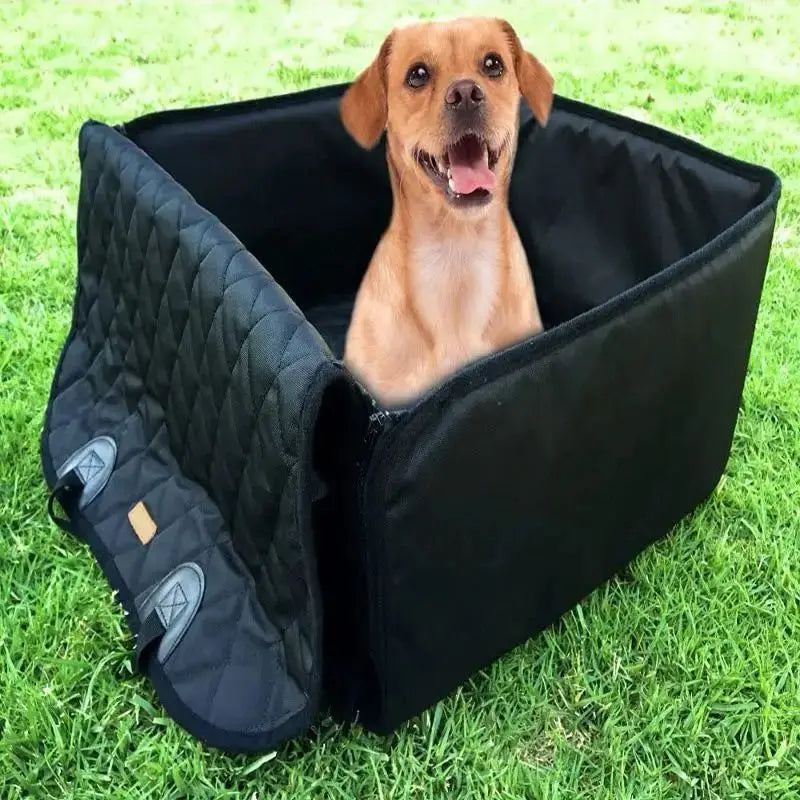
[493,510]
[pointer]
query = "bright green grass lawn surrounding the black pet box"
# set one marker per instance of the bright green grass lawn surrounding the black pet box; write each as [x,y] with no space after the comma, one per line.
[680,680]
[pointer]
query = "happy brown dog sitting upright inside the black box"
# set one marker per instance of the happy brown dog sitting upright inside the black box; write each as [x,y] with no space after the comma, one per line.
[449,280]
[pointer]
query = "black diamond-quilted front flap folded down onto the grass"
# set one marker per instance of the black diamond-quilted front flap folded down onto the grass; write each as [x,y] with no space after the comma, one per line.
[203,370]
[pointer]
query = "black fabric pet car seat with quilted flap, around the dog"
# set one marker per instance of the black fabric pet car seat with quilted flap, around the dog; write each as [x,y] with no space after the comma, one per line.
[277,539]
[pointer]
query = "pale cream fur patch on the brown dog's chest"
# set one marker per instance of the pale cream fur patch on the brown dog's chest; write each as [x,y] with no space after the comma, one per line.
[455,287]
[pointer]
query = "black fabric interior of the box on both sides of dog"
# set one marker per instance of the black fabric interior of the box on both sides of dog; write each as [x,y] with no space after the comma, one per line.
[601,203]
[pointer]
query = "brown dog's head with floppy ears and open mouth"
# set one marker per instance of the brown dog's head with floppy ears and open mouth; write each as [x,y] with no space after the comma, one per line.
[447,94]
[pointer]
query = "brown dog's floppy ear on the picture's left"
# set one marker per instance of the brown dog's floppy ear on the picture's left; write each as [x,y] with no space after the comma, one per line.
[364,105]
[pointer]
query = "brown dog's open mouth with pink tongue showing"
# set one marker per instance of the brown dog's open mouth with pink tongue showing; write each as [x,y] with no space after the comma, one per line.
[464,171]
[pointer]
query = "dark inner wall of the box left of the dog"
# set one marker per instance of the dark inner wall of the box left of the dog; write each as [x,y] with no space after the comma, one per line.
[305,199]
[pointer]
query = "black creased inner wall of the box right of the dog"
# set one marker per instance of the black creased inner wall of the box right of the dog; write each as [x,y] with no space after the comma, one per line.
[600,211]
